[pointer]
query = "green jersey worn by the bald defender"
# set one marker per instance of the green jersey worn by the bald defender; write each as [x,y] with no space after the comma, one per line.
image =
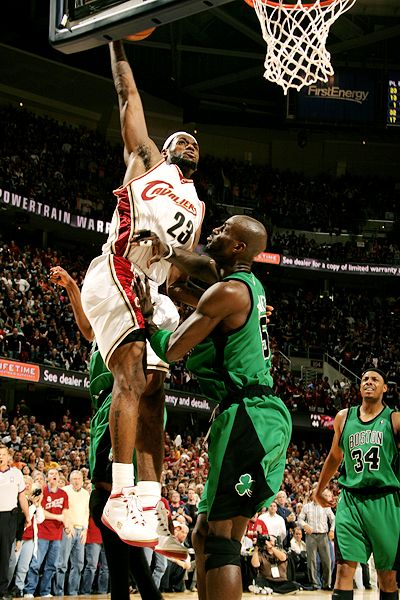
[227,363]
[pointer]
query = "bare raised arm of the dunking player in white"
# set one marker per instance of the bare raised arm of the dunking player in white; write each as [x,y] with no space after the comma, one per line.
[133,123]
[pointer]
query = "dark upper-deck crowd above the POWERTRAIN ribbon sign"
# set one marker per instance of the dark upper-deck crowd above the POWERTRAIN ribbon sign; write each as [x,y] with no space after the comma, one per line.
[75,169]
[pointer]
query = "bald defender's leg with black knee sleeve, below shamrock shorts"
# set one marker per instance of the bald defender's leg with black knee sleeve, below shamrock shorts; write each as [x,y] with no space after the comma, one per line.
[222,564]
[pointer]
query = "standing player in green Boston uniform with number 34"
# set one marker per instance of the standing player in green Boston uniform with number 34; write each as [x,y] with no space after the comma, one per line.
[368,510]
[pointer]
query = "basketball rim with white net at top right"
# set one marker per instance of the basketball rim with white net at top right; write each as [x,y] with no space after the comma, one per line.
[296,36]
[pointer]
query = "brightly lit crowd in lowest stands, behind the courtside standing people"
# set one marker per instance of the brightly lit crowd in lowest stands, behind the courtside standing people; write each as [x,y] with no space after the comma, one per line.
[40,448]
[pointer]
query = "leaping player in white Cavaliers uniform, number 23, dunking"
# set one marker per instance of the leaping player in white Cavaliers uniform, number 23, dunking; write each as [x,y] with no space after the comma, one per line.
[157,194]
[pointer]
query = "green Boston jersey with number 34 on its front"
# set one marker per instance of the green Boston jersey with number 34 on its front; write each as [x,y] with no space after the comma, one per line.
[371,455]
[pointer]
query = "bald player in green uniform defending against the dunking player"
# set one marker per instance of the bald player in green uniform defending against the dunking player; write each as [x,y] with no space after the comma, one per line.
[231,358]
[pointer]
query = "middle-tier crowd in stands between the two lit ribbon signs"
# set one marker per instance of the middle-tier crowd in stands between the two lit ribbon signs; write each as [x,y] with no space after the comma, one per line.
[37,325]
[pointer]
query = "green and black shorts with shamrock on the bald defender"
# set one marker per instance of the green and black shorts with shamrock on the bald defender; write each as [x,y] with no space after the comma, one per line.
[247,454]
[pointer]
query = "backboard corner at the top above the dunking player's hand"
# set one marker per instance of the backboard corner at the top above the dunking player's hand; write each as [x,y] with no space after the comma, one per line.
[77,25]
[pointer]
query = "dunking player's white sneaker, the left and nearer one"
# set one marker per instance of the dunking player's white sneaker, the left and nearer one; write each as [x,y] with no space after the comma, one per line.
[123,515]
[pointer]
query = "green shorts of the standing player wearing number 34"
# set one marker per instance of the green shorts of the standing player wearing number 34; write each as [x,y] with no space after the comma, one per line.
[368,524]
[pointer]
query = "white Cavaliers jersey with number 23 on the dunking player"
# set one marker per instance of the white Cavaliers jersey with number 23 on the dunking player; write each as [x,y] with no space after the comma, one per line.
[163,201]
